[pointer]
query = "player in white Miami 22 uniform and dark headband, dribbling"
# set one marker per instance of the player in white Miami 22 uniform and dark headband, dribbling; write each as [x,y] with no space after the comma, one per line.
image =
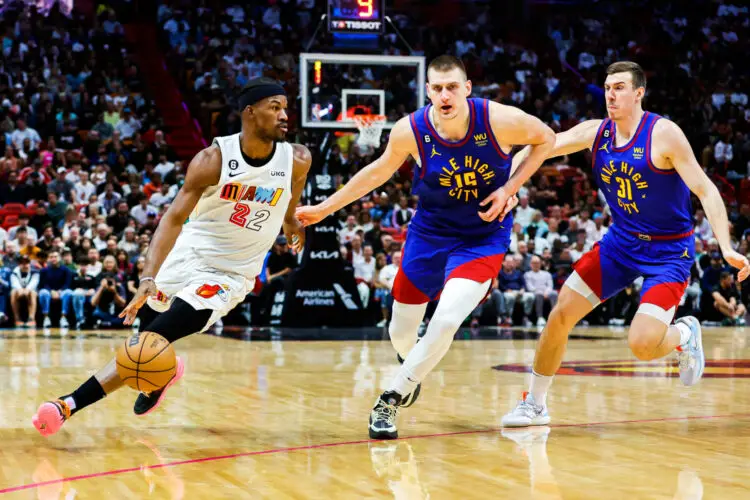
[238,194]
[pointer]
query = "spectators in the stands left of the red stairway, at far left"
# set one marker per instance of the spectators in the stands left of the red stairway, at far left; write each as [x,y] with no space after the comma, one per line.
[86,172]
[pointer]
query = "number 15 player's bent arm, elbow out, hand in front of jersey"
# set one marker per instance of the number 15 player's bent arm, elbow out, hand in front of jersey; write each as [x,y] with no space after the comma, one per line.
[512,126]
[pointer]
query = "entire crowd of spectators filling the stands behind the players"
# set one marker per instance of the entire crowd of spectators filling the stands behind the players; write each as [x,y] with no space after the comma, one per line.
[87,172]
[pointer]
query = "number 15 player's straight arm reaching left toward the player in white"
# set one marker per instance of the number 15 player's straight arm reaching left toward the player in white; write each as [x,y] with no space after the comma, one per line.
[400,145]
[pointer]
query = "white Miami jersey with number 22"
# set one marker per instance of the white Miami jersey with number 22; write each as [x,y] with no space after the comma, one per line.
[236,222]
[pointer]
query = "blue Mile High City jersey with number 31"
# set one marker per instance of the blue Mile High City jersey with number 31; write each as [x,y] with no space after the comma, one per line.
[643,199]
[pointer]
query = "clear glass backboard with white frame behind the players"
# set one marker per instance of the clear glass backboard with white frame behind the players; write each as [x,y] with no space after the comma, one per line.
[334,87]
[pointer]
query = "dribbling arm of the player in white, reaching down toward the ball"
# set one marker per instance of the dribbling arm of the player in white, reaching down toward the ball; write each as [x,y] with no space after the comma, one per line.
[204,171]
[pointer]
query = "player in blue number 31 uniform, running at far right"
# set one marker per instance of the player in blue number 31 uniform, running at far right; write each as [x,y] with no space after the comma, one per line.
[646,169]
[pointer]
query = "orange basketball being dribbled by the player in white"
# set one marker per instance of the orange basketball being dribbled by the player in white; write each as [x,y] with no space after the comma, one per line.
[146,361]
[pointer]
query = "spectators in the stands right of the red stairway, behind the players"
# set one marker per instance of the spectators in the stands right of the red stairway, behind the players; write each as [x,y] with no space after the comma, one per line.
[692,54]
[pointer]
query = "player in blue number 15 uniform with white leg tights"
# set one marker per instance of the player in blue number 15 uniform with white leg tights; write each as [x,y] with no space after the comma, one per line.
[455,244]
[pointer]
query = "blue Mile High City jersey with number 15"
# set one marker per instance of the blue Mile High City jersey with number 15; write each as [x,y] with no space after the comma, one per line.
[452,178]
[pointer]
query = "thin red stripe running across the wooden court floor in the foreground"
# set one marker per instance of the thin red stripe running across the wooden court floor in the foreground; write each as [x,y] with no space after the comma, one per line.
[343,443]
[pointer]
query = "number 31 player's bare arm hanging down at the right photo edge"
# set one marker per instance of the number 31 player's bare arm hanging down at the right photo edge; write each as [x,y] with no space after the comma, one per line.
[671,144]
